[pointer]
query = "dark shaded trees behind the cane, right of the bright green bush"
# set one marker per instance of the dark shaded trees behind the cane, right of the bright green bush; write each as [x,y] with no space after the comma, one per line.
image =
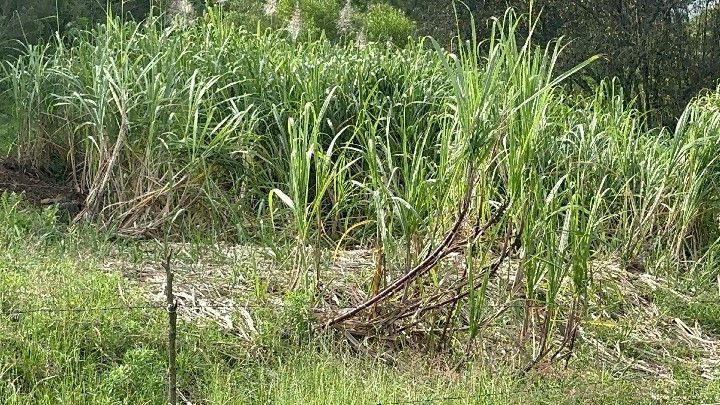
[663,51]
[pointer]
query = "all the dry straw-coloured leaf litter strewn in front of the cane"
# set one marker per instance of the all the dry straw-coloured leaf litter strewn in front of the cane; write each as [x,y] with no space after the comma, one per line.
[218,284]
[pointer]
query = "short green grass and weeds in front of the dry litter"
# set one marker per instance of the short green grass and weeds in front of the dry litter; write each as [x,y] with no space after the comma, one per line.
[118,356]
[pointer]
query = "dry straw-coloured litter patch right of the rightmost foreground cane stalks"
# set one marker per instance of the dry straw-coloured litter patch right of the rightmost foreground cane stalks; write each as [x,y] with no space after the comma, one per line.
[644,339]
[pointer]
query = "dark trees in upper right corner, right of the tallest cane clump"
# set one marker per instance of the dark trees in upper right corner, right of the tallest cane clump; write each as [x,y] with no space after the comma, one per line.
[649,45]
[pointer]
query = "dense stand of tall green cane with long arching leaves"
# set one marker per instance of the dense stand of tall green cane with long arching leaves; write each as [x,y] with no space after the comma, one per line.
[209,126]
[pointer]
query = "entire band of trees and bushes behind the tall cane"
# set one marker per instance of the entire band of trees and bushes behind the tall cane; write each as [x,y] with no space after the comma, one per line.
[663,52]
